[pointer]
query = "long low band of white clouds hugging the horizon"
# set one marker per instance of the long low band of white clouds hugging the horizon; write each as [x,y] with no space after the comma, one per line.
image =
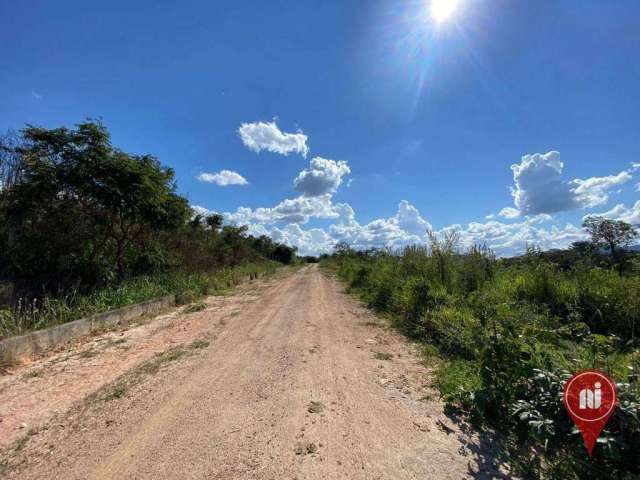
[406,227]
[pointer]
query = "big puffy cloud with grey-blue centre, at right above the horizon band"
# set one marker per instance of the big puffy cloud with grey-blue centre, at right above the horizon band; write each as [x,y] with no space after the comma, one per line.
[539,187]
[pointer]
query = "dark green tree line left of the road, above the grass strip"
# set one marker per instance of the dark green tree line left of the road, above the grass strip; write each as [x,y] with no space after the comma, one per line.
[78,213]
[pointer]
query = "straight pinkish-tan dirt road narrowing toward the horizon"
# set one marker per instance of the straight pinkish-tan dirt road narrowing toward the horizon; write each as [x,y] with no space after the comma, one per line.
[300,382]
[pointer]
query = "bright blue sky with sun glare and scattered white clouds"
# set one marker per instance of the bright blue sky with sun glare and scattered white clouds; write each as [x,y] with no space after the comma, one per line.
[364,121]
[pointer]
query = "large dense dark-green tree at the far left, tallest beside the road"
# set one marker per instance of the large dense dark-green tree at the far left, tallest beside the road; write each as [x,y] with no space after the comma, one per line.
[84,210]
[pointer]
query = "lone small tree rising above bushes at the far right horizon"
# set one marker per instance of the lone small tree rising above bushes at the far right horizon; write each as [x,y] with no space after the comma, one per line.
[614,235]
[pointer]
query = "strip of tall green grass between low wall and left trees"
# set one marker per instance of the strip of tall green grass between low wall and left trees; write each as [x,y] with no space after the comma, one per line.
[37,313]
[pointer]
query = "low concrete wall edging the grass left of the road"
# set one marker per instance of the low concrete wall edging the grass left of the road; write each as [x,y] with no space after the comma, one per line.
[15,348]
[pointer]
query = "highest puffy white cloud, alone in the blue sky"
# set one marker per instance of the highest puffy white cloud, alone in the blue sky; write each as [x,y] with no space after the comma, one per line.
[258,136]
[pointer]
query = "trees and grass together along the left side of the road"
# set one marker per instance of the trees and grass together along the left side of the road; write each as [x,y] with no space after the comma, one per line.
[86,227]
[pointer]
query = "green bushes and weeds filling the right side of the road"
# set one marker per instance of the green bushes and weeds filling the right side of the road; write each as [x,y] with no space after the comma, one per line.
[503,335]
